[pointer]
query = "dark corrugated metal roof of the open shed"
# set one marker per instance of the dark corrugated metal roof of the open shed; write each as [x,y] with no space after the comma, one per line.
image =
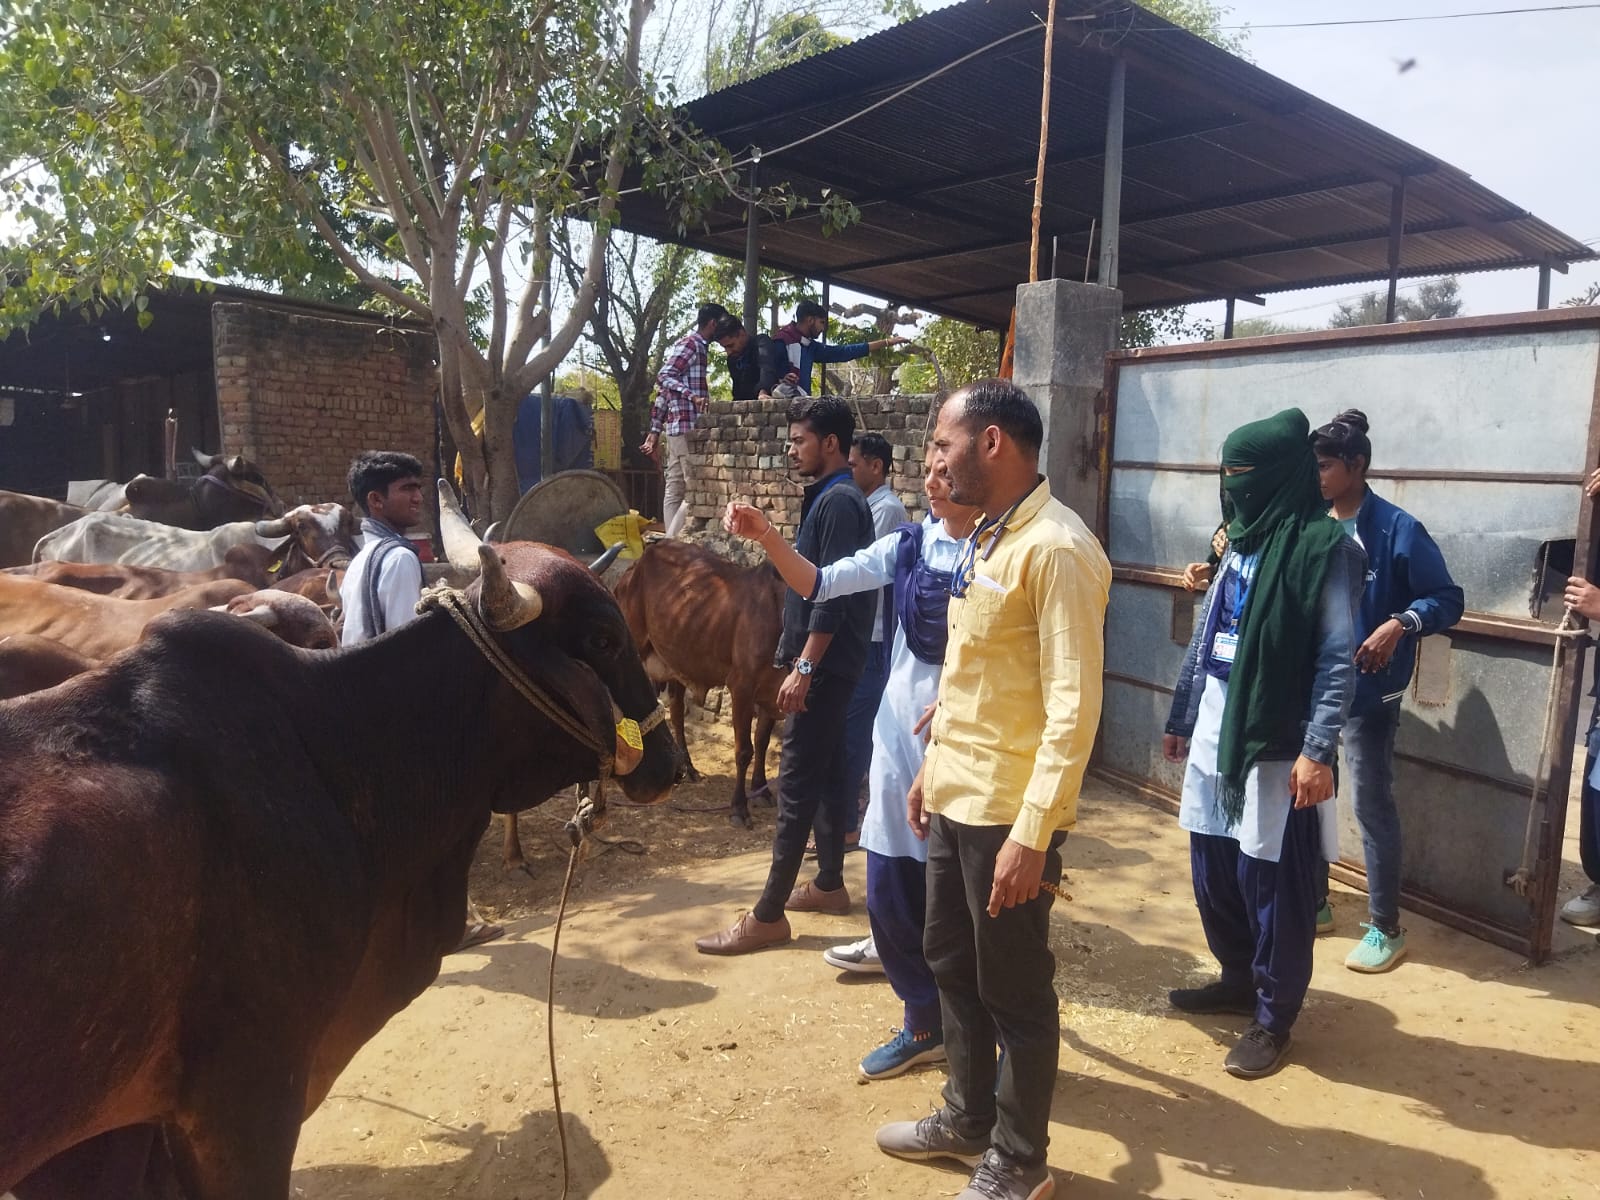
[1234,182]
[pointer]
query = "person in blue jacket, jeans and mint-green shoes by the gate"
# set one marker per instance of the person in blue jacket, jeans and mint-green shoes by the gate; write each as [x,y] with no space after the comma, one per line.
[1409,596]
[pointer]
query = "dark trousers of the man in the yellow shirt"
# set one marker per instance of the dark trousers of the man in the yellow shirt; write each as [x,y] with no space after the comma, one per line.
[996,985]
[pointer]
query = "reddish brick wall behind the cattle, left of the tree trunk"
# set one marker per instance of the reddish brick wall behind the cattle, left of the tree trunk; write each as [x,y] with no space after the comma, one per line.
[302,394]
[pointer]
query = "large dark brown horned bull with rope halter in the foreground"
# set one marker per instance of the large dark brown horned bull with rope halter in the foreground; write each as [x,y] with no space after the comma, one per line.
[212,897]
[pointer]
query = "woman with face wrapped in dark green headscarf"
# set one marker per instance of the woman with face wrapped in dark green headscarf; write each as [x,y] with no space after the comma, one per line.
[1260,703]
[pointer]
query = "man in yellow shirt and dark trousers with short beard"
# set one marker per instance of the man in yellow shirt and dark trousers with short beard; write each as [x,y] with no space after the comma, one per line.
[1012,735]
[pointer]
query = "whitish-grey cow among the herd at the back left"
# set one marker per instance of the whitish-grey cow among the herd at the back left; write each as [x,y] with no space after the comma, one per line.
[318,535]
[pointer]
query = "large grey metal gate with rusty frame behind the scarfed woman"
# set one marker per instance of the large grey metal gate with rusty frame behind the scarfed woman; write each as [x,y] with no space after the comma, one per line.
[1484,430]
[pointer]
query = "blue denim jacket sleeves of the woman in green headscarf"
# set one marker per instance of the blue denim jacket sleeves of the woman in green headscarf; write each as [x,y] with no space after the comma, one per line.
[1334,686]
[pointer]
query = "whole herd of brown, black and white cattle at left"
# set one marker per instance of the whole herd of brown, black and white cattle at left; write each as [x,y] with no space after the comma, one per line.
[231,854]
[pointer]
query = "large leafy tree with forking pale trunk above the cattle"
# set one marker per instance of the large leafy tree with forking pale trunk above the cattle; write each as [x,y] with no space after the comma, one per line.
[430,150]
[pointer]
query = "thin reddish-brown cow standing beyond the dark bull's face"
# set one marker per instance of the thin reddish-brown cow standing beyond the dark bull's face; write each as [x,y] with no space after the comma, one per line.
[700,623]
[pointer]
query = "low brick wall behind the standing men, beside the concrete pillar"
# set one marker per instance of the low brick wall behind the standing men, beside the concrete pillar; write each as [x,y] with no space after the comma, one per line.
[740,449]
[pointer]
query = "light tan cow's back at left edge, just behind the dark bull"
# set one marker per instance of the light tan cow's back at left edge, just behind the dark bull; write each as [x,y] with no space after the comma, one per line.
[97,626]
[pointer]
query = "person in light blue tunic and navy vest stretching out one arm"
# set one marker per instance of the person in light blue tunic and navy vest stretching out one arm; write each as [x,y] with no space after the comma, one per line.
[916,564]
